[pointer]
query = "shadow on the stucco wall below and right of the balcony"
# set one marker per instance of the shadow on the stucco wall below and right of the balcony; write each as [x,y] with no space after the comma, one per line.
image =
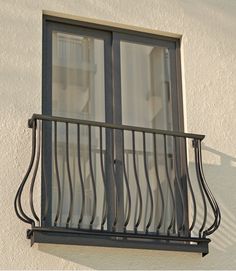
[220,177]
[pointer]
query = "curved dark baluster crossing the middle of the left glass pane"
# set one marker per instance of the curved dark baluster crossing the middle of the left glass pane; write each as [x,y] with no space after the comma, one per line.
[81,177]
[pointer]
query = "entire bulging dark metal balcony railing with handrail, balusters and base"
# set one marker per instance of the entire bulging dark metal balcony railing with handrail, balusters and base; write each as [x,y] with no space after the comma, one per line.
[166,232]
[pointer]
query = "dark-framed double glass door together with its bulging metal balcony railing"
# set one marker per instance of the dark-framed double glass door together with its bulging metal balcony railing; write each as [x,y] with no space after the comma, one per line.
[111,143]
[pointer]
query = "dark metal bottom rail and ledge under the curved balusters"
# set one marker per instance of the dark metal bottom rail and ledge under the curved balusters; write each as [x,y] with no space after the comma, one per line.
[116,239]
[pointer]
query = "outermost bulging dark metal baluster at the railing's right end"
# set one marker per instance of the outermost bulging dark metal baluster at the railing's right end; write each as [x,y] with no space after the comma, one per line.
[211,199]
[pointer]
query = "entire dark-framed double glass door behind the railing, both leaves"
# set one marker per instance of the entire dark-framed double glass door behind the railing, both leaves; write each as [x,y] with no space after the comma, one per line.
[112,77]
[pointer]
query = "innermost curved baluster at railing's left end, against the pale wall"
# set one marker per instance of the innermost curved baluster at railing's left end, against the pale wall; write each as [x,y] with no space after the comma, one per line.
[34,177]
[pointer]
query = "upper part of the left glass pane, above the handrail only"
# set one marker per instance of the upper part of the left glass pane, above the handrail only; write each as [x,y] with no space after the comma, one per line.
[78,77]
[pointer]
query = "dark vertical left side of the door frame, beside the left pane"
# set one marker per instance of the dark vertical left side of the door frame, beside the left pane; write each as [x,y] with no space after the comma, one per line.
[46,158]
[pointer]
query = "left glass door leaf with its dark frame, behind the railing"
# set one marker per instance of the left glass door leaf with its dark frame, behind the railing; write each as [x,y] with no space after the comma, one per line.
[78,61]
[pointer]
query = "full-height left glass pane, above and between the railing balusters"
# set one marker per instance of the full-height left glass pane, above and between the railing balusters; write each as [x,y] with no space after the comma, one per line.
[78,91]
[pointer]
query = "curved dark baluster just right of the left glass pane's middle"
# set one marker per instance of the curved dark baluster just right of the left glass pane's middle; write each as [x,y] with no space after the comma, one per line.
[93,180]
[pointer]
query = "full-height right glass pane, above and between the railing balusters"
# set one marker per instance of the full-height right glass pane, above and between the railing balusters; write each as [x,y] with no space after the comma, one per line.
[146,102]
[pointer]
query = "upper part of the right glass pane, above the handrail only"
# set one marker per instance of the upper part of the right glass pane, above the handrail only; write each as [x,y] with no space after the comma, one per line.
[145,86]
